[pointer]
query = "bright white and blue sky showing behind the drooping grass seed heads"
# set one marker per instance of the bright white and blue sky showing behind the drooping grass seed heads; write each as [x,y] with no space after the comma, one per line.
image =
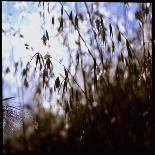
[24,16]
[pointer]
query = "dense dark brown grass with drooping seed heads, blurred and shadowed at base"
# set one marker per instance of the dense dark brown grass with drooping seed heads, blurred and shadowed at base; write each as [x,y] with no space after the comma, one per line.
[113,112]
